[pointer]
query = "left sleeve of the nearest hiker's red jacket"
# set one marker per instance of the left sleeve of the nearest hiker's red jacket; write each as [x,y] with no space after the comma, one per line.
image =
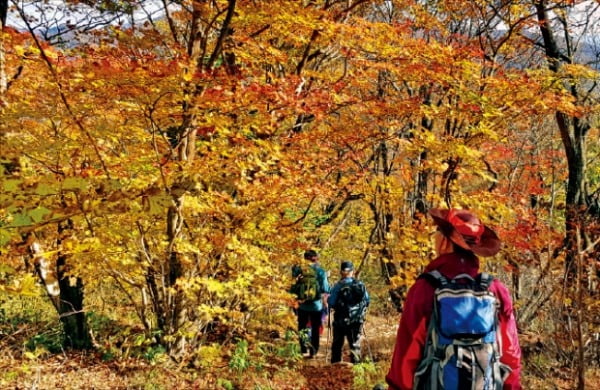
[411,337]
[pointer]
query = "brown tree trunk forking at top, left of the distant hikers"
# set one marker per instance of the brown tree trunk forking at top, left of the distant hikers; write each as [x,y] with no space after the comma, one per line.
[168,299]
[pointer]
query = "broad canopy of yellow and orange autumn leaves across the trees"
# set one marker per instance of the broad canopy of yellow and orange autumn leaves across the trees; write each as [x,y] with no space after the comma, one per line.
[289,129]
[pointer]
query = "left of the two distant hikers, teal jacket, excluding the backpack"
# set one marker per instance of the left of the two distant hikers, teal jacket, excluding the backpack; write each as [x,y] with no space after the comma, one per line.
[309,312]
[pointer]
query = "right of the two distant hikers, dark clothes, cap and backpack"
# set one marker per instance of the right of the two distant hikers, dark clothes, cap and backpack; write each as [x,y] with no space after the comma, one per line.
[348,316]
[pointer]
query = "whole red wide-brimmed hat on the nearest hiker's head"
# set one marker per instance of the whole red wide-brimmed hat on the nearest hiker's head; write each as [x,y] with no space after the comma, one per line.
[466,230]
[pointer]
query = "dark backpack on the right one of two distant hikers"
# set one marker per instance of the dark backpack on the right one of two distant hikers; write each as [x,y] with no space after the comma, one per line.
[351,303]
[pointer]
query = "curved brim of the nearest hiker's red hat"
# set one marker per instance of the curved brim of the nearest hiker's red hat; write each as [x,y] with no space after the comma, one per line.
[489,243]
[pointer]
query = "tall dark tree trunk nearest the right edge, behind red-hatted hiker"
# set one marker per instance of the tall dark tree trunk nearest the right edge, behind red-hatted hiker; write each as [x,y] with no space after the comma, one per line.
[579,216]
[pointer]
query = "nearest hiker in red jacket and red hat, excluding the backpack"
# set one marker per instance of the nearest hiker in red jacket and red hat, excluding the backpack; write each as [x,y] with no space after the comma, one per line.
[460,238]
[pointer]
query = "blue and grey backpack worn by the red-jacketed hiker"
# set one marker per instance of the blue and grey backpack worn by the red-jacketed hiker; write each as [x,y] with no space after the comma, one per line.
[463,348]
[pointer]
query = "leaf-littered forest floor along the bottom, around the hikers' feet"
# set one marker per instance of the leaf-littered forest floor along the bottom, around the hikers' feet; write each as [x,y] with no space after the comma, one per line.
[21,370]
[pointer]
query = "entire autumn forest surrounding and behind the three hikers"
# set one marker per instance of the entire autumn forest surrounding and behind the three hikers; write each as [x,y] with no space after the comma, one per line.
[173,159]
